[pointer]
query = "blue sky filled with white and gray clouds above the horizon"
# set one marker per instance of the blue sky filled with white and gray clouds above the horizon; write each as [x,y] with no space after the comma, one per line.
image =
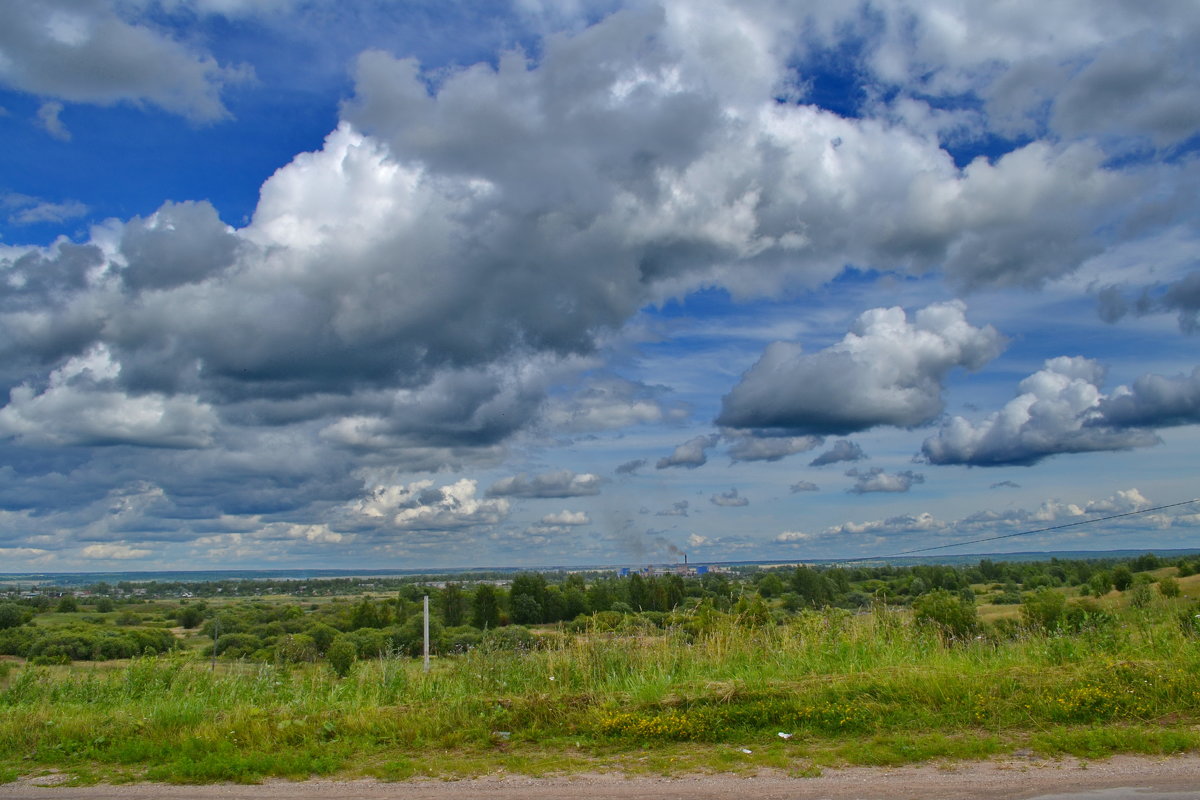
[406,285]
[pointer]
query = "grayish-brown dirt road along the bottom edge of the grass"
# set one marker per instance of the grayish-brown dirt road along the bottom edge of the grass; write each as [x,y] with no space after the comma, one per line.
[1118,779]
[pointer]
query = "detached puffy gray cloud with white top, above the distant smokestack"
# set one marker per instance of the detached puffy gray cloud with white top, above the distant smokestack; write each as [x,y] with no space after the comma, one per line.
[886,371]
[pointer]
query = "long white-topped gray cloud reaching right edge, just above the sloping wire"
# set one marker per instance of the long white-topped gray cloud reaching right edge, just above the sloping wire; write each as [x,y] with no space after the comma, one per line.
[1061,410]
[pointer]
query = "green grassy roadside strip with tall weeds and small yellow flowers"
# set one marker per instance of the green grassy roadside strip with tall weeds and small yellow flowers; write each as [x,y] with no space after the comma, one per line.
[851,690]
